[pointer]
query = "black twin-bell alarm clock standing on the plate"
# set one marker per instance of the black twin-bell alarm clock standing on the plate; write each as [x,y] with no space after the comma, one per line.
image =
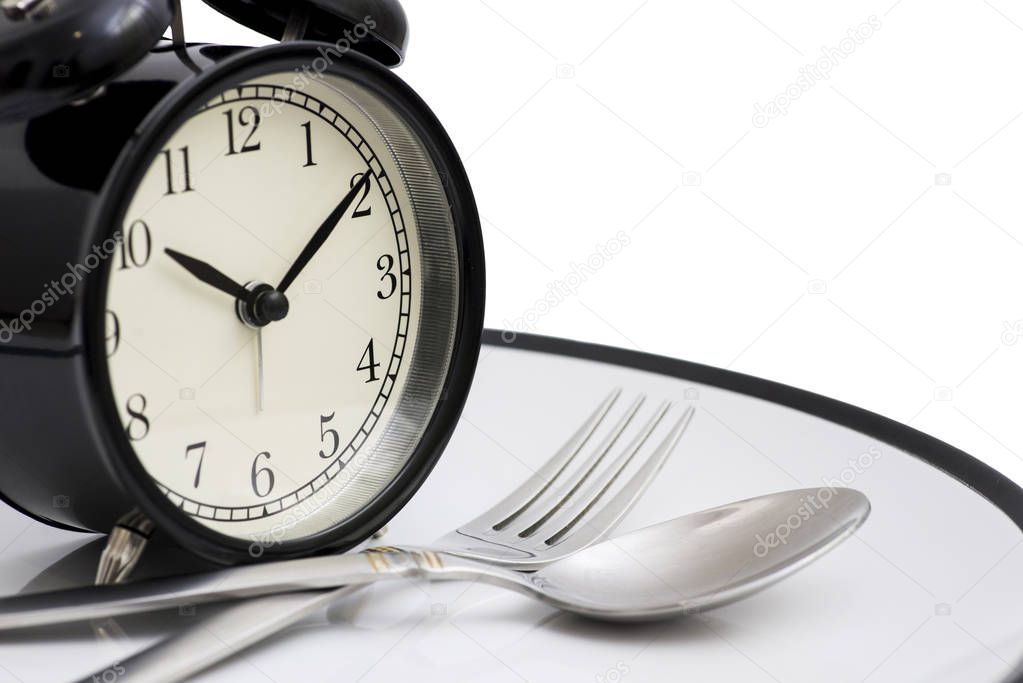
[243,289]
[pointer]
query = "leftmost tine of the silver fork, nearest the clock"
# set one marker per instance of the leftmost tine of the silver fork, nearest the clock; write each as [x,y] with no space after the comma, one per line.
[510,508]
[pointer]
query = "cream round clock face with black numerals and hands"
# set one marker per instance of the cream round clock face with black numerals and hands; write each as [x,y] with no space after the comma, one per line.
[270,303]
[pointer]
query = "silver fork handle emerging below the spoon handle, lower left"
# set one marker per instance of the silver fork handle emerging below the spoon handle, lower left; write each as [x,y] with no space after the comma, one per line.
[216,639]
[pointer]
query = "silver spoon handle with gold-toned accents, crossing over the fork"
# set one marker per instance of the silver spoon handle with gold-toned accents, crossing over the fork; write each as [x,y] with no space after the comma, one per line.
[273,578]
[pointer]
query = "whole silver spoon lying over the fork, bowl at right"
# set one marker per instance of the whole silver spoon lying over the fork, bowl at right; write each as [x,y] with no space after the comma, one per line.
[692,564]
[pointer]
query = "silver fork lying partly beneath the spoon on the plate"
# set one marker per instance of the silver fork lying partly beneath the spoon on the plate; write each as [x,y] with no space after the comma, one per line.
[555,514]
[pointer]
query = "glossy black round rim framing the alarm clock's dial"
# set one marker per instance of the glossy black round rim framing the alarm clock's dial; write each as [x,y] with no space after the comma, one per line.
[151,136]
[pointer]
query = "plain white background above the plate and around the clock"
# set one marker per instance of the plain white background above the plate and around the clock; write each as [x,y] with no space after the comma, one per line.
[865,246]
